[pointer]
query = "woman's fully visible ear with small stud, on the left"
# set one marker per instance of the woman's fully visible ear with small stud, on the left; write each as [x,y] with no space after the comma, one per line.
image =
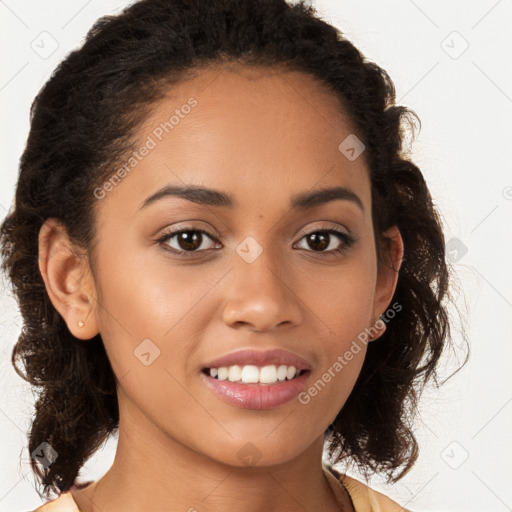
[68,279]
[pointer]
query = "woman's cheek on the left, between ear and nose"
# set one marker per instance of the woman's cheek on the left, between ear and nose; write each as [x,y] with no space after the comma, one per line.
[152,321]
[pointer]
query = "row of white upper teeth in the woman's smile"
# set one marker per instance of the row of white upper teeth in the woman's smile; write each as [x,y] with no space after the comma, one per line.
[251,374]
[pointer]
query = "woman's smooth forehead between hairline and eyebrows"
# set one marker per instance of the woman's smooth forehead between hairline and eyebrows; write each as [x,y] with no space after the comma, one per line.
[265,134]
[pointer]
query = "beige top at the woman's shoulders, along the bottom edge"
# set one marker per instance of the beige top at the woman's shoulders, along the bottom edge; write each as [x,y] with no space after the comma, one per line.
[364,499]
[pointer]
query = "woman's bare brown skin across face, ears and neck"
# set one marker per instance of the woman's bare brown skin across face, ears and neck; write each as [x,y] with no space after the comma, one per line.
[263,136]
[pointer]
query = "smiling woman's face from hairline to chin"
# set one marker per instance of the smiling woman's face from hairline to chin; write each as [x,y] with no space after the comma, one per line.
[254,278]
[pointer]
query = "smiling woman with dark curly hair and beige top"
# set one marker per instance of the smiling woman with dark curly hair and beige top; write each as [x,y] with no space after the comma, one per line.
[221,252]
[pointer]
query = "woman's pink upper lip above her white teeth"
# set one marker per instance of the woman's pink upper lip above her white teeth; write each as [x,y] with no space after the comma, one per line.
[260,358]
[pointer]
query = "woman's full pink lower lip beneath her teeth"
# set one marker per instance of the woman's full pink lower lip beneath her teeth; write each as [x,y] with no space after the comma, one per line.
[257,396]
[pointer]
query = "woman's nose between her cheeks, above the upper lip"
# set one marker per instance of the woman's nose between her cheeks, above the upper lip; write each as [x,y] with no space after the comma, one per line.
[260,296]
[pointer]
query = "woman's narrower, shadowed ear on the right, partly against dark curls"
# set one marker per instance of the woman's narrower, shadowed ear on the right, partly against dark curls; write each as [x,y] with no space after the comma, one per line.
[387,272]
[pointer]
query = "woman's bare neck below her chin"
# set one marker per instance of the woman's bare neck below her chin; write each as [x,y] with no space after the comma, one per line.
[152,471]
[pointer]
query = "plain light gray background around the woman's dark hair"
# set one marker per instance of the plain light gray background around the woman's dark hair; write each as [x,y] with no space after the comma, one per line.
[450,62]
